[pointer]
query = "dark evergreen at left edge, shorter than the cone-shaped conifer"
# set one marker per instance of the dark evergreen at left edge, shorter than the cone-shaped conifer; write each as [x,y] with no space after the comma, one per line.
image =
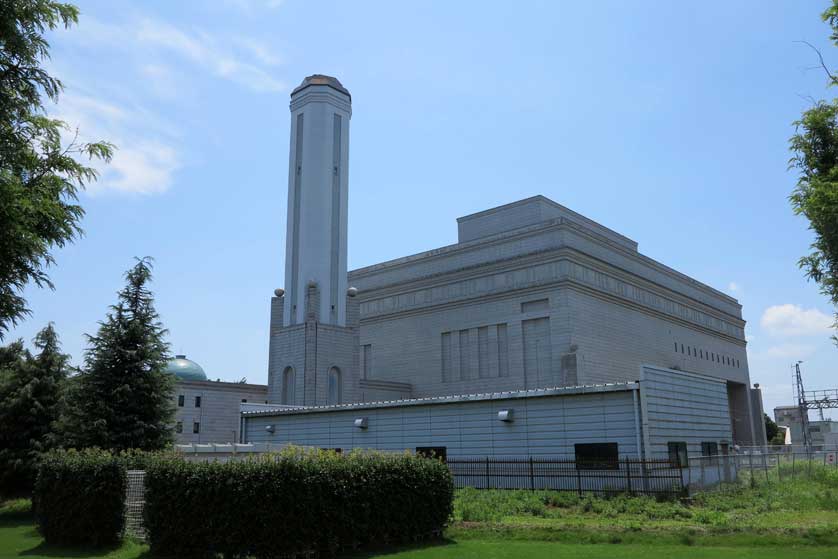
[29,395]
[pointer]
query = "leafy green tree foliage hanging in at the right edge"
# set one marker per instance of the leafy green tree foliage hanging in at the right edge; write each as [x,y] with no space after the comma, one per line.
[815,155]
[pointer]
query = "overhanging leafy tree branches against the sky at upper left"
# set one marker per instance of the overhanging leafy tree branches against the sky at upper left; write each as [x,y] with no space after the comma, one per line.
[40,173]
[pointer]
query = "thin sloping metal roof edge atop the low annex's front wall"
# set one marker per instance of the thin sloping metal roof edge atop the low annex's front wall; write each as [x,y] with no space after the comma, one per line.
[453,399]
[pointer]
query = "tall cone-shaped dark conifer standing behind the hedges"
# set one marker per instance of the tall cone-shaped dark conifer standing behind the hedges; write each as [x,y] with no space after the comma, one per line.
[122,398]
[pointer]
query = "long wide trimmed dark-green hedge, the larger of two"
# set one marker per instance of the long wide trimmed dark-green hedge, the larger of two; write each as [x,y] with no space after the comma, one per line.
[292,502]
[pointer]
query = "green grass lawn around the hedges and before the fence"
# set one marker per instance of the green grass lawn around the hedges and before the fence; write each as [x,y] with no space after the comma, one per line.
[796,517]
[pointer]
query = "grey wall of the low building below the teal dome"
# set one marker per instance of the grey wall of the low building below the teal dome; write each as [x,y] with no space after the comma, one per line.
[218,415]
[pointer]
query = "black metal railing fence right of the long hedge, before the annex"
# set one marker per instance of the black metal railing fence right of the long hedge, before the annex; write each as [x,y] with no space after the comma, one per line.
[649,477]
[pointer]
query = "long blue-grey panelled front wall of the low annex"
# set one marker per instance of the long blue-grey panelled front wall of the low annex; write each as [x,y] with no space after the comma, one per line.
[542,426]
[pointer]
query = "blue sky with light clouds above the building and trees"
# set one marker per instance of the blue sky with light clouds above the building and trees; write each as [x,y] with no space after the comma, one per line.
[665,121]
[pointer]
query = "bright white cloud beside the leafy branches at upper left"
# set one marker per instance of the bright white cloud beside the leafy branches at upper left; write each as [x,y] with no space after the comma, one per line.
[144,160]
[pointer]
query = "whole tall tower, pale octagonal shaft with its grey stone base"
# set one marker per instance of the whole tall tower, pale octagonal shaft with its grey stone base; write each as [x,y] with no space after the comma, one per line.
[313,348]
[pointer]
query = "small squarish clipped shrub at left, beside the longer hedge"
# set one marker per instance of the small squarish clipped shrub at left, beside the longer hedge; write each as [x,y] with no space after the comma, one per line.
[79,497]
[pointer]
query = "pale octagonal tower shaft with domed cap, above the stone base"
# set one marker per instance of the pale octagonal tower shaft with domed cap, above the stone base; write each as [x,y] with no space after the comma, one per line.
[318,187]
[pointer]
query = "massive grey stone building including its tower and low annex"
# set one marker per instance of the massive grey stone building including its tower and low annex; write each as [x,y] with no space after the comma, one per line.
[534,304]
